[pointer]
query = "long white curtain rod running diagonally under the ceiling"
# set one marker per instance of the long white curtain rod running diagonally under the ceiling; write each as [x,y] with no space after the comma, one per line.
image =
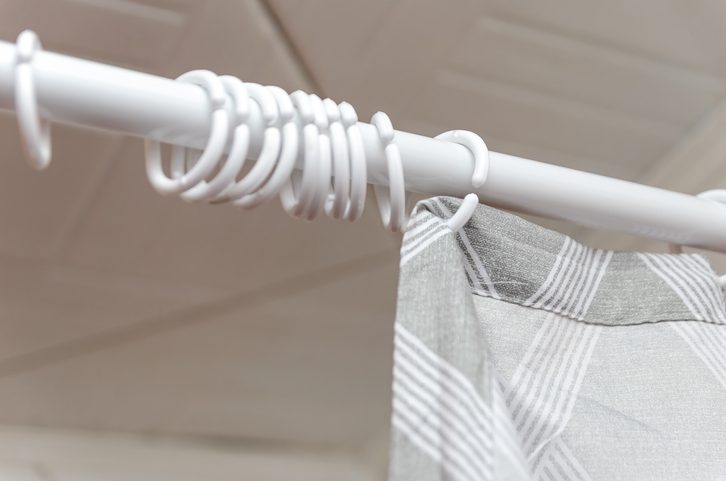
[75,91]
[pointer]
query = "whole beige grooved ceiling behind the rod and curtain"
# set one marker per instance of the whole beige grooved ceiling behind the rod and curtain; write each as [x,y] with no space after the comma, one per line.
[125,312]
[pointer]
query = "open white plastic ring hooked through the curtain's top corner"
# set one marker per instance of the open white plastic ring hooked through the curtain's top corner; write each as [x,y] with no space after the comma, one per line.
[480,153]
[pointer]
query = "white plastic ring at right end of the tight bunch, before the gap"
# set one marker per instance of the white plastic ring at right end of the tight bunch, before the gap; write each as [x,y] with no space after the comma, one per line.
[358,167]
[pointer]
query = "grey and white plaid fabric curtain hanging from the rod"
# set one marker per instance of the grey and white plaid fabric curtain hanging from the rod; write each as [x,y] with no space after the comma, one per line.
[521,354]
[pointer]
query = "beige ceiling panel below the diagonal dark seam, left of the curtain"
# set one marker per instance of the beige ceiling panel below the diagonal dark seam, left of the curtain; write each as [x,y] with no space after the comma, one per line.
[312,368]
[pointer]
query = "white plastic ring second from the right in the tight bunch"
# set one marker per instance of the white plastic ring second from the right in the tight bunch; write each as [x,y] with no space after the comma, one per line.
[337,202]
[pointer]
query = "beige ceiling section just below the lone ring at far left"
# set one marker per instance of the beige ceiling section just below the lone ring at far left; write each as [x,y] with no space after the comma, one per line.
[38,210]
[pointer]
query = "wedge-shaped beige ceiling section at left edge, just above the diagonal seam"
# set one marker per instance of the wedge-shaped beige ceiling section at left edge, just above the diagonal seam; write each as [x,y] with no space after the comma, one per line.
[50,310]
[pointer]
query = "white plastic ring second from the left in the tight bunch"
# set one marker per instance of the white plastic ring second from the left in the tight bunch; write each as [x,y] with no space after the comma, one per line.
[238,151]
